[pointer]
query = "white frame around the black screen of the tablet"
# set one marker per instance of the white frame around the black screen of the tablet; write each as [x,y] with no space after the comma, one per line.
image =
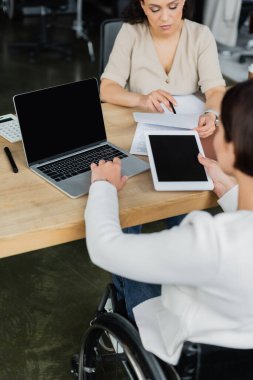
[176,185]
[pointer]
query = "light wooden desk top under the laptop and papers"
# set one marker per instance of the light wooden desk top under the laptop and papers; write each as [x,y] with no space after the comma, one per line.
[36,215]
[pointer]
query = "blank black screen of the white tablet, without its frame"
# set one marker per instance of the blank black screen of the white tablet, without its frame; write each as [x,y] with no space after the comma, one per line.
[175,158]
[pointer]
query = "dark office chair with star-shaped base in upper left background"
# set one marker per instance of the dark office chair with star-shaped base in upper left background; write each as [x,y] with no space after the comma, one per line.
[43,42]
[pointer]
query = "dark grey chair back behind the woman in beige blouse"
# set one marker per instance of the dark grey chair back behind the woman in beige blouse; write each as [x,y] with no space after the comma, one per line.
[108,32]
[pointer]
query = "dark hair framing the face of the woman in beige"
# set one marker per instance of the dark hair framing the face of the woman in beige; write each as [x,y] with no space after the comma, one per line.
[133,13]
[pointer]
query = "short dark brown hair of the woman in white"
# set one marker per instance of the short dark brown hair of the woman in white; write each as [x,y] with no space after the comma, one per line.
[237,119]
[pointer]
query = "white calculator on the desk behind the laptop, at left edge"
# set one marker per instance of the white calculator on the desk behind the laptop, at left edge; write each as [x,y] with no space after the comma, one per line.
[9,128]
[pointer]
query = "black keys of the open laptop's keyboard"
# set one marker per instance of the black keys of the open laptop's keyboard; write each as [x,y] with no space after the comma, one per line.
[79,163]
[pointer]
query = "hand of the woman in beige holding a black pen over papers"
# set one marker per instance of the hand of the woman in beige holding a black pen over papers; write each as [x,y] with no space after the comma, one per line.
[152,101]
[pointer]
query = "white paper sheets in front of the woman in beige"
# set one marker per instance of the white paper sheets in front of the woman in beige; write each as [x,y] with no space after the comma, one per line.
[188,109]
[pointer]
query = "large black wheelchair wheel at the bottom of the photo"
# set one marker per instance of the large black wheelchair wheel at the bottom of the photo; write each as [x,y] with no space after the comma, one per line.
[127,358]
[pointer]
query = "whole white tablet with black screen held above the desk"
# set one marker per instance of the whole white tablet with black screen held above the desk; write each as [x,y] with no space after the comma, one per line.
[173,158]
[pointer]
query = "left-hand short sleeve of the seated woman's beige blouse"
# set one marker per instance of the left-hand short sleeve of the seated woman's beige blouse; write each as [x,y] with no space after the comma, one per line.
[118,66]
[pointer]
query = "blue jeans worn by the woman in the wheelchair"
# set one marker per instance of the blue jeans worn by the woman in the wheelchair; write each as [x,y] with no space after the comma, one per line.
[135,292]
